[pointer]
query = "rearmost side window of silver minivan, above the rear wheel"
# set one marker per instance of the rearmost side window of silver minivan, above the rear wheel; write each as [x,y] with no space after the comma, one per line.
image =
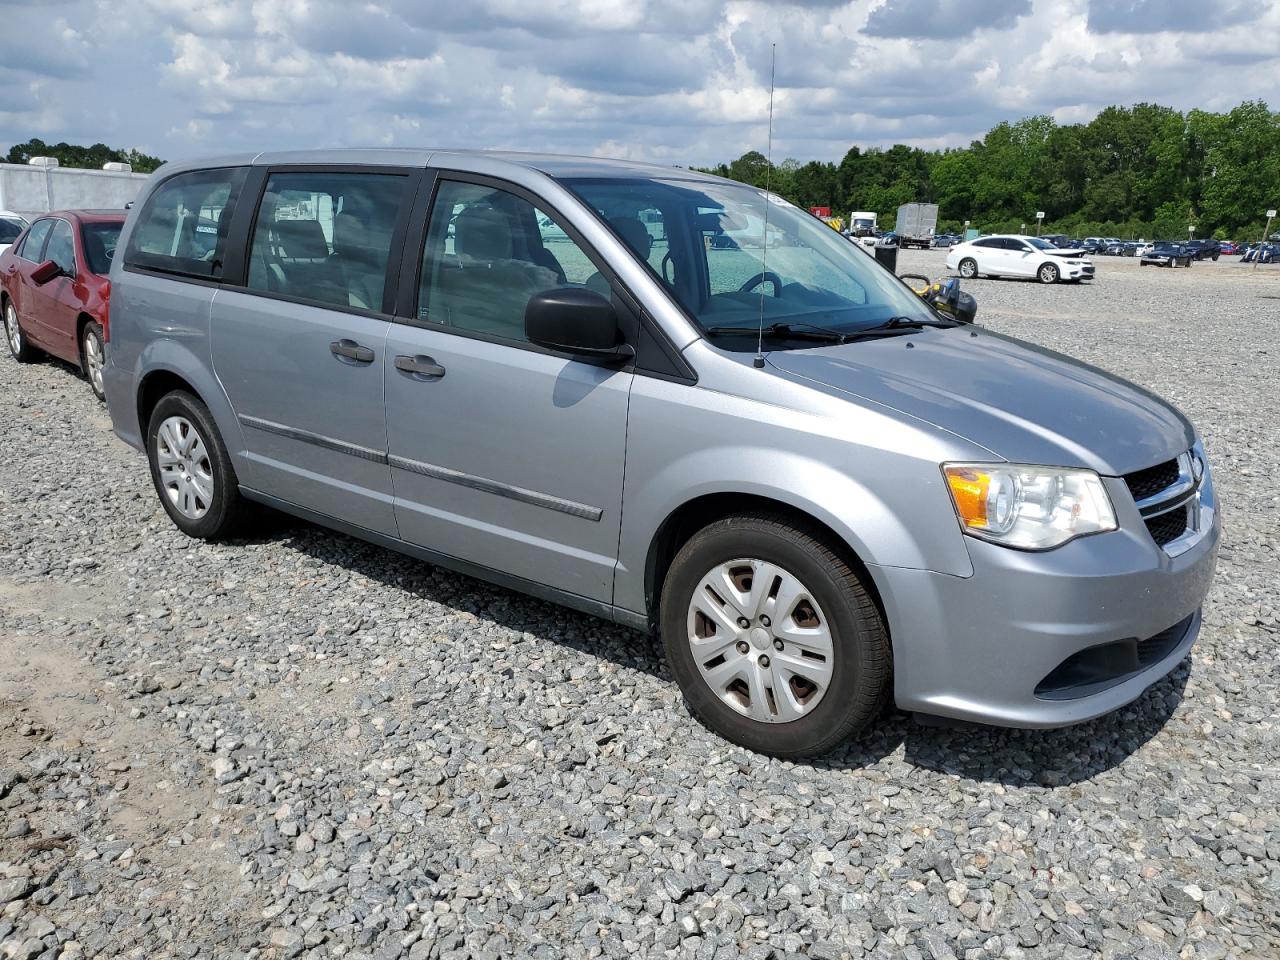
[182,230]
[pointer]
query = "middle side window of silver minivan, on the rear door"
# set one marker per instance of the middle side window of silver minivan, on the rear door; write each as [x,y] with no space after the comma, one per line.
[327,237]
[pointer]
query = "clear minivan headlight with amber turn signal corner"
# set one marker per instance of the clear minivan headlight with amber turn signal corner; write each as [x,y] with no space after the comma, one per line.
[1028,508]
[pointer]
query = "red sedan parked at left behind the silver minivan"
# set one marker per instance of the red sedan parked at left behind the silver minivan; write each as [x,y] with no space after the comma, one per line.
[54,290]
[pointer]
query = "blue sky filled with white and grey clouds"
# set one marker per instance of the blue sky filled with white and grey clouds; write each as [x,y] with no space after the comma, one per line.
[671,81]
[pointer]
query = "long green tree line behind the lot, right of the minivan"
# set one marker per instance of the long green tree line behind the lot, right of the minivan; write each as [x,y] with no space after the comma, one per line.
[1146,171]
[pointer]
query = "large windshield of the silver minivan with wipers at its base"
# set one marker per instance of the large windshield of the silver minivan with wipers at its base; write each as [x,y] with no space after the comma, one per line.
[708,244]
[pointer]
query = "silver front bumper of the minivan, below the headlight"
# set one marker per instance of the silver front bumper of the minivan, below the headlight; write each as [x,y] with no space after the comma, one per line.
[996,647]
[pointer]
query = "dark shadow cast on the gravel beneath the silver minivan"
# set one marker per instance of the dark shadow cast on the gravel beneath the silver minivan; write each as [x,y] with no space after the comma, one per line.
[1037,758]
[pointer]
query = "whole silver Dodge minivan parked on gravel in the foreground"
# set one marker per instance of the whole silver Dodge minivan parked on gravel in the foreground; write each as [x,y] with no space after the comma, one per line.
[671,401]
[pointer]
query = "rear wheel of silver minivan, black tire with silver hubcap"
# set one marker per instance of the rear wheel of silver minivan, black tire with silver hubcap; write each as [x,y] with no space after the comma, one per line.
[193,472]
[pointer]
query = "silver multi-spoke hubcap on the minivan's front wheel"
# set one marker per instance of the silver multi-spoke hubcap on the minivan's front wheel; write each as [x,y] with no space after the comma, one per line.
[778,668]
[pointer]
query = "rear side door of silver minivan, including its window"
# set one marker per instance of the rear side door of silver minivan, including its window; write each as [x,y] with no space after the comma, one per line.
[301,349]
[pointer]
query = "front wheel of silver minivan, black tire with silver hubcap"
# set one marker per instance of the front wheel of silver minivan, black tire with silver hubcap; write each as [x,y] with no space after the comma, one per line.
[812,665]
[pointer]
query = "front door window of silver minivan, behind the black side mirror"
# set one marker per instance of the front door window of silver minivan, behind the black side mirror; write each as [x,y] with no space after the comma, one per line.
[488,253]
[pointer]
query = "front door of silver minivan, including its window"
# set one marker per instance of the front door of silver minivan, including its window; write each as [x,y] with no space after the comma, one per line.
[504,455]
